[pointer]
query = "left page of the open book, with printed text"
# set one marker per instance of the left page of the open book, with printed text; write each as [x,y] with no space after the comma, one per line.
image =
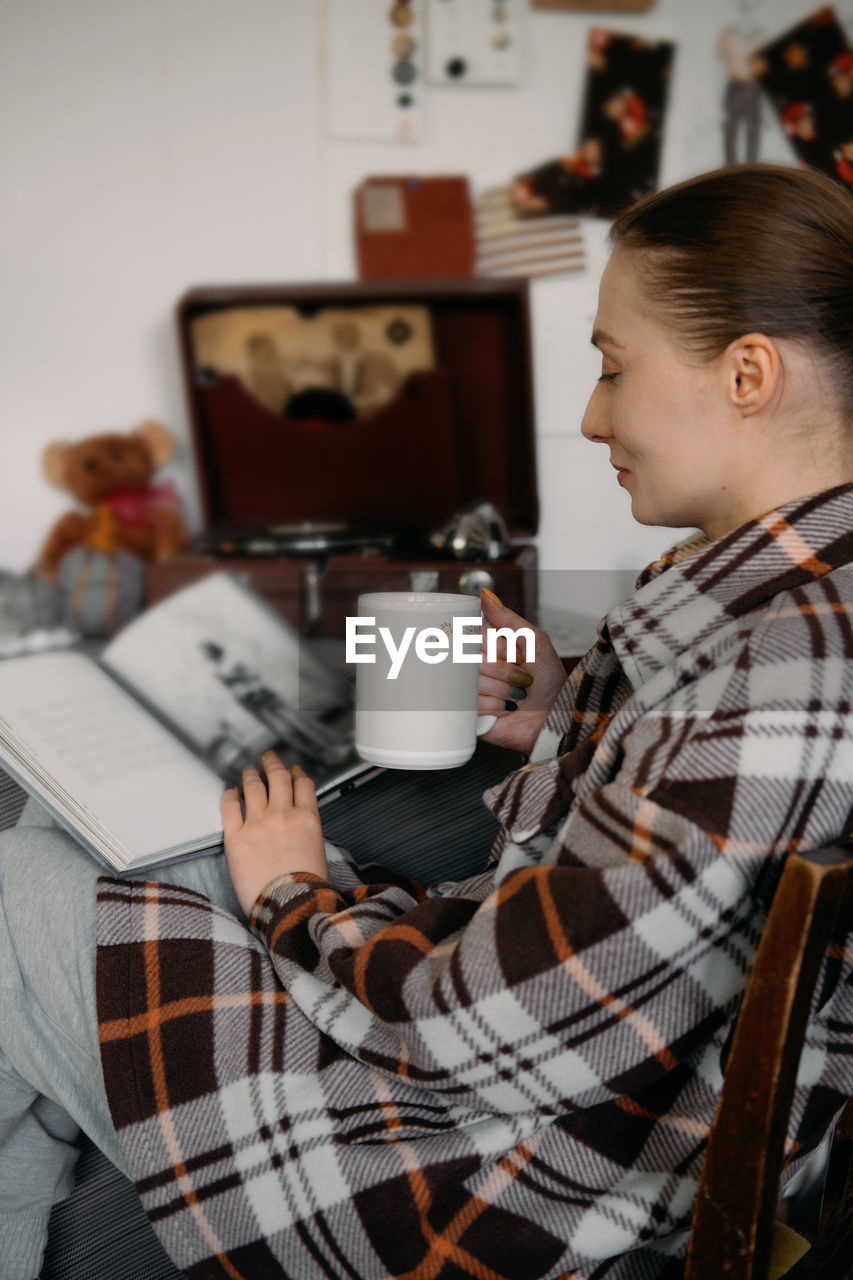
[81,742]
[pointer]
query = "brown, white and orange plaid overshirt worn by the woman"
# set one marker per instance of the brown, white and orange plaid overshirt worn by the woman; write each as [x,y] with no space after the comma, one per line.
[514,1076]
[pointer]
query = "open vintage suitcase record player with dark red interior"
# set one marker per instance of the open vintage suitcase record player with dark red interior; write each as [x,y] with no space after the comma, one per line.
[345,433]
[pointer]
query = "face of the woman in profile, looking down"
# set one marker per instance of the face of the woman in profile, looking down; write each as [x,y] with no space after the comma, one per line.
[665,418]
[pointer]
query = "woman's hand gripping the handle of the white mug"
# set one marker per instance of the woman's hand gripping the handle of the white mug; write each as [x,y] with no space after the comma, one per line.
[522,693]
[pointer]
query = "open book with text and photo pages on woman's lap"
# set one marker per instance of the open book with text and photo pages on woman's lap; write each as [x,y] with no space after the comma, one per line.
[130,752]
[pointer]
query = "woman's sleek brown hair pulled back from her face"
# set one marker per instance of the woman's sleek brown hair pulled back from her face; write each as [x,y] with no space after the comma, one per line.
[750,249]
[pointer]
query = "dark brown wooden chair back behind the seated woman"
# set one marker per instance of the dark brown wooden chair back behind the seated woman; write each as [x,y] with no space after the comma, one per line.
[737,1201]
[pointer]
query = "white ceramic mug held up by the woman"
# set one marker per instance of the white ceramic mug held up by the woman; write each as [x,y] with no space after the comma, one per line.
[417,710]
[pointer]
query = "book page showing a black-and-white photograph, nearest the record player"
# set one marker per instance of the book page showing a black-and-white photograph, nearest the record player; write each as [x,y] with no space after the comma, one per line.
[221,666]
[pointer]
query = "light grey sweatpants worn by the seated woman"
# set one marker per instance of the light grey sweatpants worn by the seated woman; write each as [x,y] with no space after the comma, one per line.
[51,1071]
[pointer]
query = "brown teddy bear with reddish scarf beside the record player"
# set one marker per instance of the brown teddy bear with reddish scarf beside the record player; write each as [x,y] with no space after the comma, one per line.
[112,476]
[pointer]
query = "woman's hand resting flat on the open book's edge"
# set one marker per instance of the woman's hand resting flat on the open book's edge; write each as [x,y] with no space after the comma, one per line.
[281,830]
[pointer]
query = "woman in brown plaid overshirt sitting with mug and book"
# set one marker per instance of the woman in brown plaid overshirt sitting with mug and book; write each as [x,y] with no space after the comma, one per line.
[514,1076]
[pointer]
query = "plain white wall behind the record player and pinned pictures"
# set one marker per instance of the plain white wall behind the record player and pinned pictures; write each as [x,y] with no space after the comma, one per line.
[152,145]
